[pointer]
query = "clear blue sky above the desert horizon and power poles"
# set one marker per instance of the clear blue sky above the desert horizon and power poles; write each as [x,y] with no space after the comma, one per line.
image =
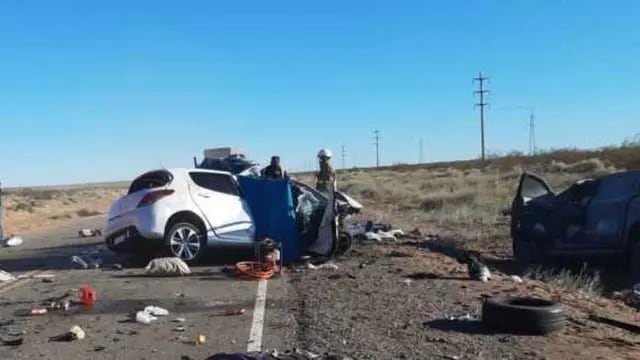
[103,90]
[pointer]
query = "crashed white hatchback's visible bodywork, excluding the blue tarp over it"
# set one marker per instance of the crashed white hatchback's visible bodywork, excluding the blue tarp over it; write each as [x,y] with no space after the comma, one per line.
[171,210]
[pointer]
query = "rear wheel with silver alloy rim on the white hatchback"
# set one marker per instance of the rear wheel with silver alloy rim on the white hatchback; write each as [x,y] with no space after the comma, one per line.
[186,241]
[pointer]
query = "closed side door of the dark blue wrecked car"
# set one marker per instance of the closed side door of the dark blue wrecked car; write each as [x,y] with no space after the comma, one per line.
[605,213]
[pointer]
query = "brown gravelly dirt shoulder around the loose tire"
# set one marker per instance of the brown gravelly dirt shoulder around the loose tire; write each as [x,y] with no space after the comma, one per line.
[369,310]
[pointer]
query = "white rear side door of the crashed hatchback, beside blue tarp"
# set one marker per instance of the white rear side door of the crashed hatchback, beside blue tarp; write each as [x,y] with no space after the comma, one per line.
[218,198]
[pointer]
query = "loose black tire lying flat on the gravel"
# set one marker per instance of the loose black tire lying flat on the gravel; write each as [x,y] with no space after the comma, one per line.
[523,315]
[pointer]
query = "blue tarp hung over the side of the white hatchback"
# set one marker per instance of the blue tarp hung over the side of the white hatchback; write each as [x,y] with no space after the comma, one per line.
[271,206]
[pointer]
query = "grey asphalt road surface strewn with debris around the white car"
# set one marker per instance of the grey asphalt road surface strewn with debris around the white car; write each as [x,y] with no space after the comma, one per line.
[200,298]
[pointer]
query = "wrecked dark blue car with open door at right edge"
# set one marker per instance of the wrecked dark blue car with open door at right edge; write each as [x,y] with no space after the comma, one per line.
[593,217]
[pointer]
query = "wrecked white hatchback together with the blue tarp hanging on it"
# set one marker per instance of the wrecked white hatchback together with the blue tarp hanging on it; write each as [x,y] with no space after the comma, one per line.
[183,212]
